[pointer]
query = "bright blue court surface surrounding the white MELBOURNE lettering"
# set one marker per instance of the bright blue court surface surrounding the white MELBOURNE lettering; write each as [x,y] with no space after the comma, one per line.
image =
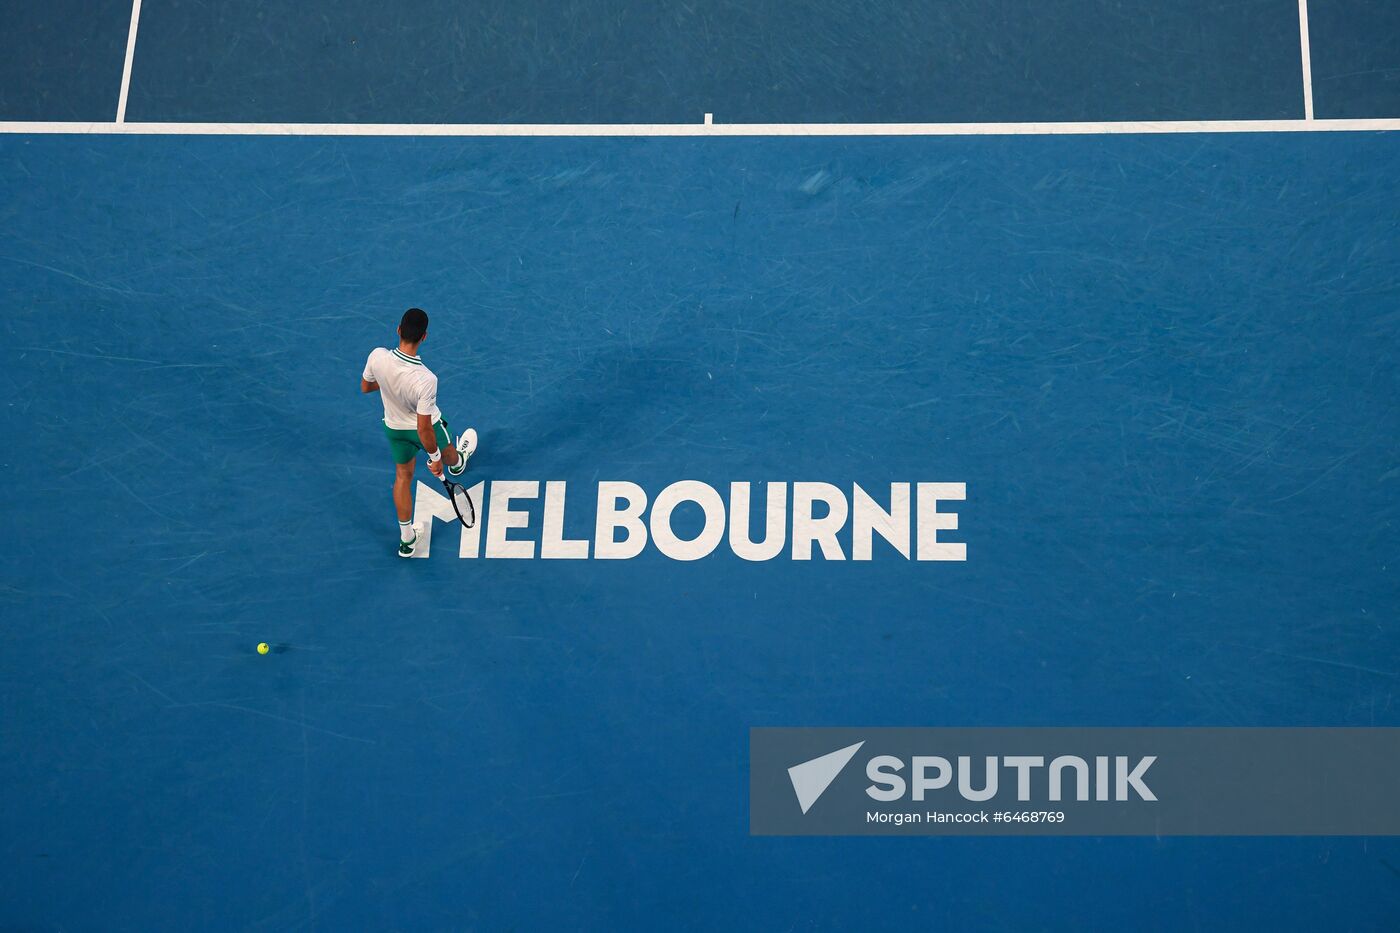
[1164,369]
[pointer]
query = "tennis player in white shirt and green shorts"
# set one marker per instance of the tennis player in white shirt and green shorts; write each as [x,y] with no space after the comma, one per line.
[412,420]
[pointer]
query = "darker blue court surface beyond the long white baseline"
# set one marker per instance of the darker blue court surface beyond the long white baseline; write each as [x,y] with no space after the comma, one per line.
[758,62]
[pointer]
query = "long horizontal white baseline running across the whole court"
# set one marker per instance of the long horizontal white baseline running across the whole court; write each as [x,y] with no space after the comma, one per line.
[702,130]
